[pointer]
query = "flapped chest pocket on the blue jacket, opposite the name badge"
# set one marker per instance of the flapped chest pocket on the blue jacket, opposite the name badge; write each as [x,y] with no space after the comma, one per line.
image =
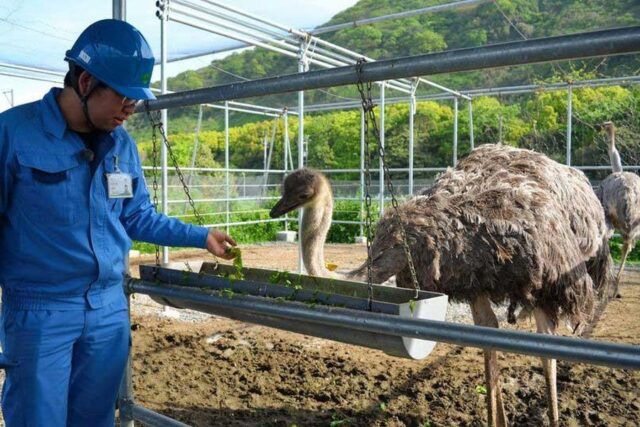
[45,186]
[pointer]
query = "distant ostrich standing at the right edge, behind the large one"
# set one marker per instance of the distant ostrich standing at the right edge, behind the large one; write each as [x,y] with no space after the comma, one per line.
[619,194]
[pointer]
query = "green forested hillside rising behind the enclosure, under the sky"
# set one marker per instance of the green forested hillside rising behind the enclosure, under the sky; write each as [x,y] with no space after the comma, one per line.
[492,22]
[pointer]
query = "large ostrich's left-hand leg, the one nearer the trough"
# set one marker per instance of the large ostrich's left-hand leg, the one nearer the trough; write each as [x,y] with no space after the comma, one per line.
[483,315]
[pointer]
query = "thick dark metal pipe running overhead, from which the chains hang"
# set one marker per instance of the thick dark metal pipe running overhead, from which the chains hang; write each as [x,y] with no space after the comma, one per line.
[583,45]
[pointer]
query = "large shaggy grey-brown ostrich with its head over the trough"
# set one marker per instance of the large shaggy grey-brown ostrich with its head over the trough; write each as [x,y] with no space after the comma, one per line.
[505,225]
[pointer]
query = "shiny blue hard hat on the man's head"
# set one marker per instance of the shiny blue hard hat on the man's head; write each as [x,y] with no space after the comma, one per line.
[118,55]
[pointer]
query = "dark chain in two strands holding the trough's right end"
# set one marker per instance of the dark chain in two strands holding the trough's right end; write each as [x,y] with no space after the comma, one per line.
[370,116]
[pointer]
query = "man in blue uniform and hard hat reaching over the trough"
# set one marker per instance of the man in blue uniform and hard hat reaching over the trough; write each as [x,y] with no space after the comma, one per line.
[72,195]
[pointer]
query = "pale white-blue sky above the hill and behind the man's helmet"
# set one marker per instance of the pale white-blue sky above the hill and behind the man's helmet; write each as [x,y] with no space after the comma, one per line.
[37,33]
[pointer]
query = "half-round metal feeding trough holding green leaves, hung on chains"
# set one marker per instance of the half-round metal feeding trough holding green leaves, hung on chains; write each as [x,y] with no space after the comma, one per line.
[309,292]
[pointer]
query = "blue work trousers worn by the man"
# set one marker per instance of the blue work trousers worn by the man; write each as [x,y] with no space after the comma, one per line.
[70,364]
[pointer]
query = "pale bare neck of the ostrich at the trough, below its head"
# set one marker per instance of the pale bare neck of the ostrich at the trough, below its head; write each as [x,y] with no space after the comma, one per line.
[316,220]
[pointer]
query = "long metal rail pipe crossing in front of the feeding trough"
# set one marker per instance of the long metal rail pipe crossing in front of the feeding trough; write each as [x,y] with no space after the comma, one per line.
[542,345]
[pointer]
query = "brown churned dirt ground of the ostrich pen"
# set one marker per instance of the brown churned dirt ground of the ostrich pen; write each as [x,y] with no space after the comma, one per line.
[218,372]
